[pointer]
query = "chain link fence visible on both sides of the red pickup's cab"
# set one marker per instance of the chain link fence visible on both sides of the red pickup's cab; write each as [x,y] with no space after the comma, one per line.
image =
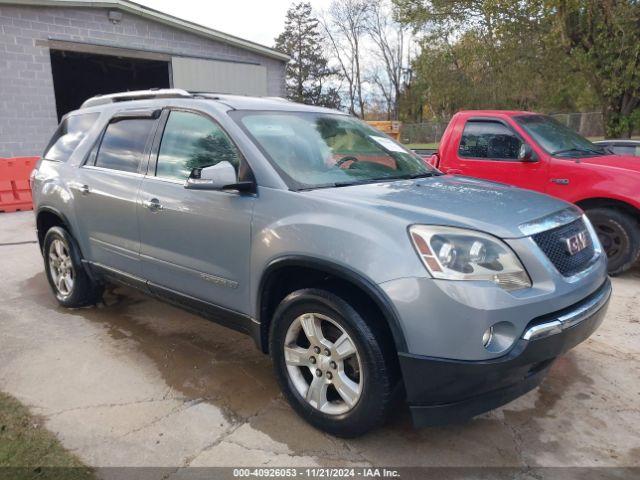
[587,124]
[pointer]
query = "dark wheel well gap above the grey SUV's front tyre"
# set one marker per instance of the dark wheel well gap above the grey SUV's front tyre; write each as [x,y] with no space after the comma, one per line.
[286,279]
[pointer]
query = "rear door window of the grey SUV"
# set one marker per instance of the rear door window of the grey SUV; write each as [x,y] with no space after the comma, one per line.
[123,144]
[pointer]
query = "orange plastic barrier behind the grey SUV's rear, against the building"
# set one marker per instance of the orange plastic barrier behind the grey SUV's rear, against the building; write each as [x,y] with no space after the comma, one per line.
[15,192]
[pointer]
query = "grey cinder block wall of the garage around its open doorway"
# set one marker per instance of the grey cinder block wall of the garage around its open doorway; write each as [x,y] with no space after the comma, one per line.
[27,101]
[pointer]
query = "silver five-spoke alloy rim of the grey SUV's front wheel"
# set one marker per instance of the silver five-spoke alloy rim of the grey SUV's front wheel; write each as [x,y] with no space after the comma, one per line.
[323,363]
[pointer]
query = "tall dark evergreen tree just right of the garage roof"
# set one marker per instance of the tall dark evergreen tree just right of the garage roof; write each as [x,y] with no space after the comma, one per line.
[307,72]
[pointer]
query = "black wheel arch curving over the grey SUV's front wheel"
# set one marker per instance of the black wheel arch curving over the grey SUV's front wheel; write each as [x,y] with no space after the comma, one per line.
[314,273]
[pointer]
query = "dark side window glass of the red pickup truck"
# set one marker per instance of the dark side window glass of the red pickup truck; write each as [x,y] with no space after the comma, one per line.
[490,140]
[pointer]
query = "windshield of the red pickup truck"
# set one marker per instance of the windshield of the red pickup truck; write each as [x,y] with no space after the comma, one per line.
[556,138]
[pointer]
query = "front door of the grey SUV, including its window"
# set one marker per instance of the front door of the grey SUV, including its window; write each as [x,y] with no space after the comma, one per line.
[195,242]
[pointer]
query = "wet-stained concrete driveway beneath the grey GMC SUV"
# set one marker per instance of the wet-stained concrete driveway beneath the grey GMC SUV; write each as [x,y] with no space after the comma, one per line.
[136,382]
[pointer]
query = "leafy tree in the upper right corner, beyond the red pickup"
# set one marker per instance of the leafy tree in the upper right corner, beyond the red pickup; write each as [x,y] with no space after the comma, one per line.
[602,38]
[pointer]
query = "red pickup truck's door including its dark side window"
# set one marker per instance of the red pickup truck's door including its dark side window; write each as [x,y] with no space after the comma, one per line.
[489,148]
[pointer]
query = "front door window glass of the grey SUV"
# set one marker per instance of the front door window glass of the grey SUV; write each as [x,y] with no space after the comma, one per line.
[192,141]
